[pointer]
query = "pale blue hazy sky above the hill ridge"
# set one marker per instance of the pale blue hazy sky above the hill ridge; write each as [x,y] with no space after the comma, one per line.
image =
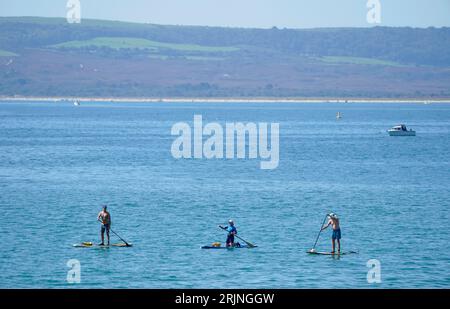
[244,13]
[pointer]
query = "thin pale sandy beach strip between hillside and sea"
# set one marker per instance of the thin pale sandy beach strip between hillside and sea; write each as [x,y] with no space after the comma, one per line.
[224,100]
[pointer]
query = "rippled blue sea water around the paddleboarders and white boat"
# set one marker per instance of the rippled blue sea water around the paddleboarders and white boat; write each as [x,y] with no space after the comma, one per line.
[59,163]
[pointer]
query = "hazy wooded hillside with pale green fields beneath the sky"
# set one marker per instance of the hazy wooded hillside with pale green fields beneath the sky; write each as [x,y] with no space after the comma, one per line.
[109,58]
